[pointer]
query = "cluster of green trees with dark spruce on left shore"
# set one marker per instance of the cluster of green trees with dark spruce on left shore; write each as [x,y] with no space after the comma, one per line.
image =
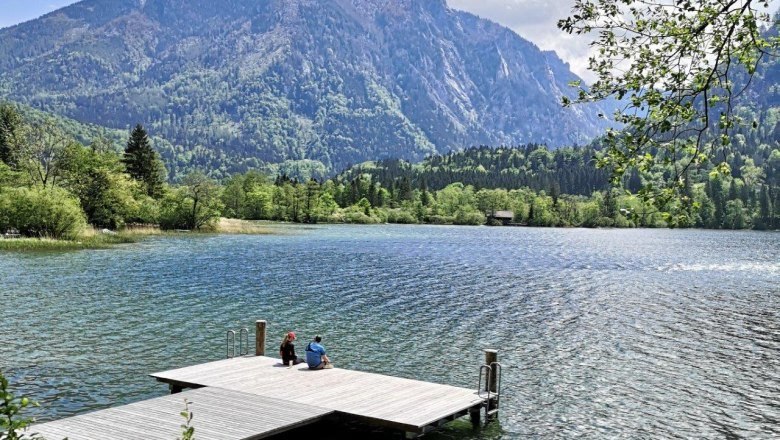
[53,186]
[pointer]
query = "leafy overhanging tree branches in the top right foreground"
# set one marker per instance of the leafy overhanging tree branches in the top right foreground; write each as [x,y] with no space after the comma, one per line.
[675,66]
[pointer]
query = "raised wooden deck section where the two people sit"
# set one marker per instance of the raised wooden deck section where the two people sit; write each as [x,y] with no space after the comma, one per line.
[395,402]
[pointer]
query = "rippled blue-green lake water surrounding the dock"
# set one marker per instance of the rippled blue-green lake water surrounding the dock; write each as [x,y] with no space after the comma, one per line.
[603,333]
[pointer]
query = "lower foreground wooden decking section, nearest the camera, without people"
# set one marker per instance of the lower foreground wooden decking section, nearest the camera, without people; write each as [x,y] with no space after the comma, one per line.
[218,414]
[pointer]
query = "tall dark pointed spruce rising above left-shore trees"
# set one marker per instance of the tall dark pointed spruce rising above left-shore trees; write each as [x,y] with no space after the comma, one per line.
[142,163]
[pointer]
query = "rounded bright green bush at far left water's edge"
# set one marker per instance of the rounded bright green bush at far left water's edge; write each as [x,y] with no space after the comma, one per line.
[39,212]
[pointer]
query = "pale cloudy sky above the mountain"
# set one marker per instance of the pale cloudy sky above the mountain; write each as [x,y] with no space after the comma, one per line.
[534,20]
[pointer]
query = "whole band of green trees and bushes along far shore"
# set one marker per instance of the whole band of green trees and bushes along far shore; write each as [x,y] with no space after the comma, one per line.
[54,188]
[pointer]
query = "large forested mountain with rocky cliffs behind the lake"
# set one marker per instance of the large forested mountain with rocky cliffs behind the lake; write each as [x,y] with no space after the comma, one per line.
[236,84]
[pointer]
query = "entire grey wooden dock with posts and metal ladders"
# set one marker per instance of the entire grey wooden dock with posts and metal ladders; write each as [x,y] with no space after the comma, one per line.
[253,397]
